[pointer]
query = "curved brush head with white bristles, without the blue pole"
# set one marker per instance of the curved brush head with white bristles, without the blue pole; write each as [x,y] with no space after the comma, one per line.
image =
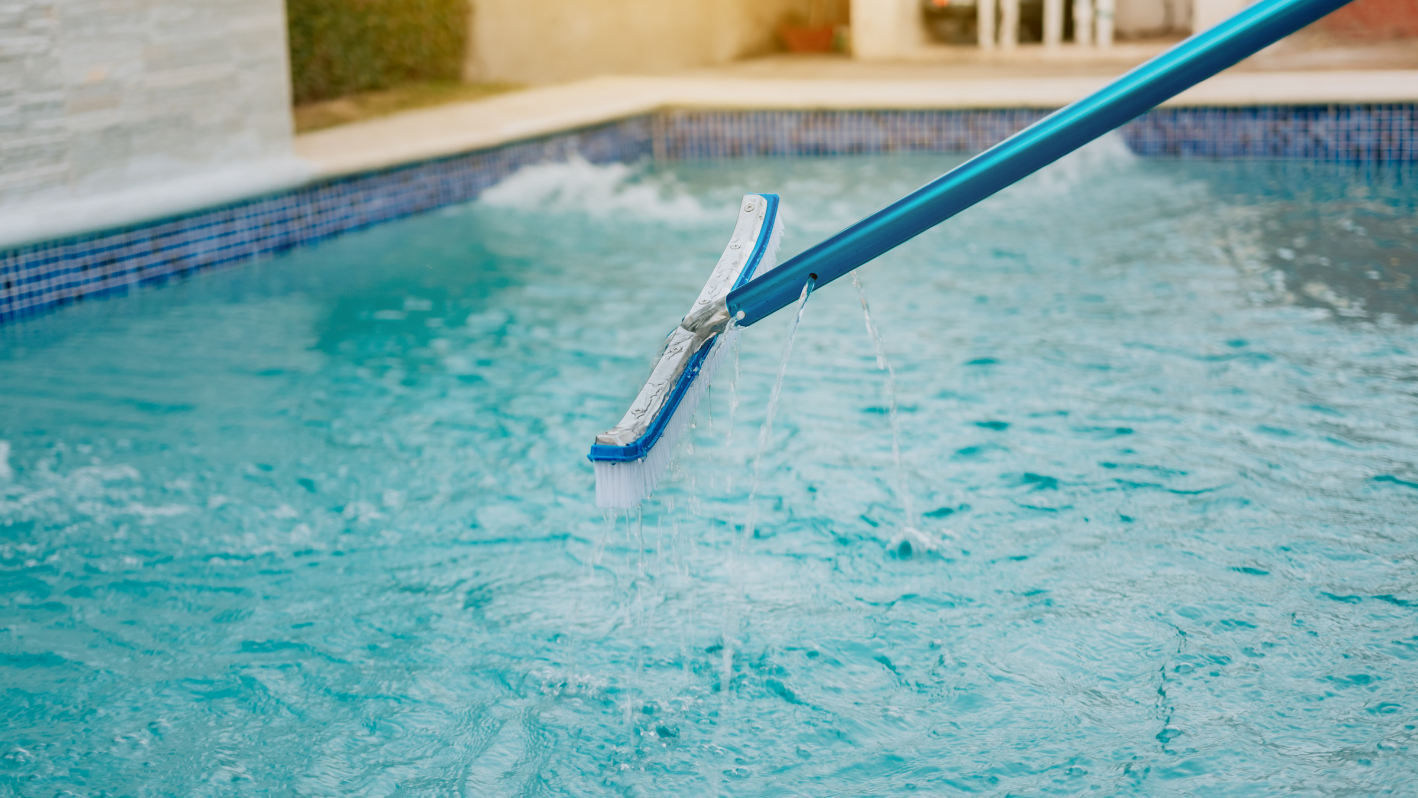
[633,456]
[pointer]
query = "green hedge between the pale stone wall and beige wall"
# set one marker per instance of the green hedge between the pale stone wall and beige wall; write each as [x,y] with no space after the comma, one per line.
[342,47]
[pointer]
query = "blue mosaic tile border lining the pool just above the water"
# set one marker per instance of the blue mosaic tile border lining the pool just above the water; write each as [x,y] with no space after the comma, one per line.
[59,273]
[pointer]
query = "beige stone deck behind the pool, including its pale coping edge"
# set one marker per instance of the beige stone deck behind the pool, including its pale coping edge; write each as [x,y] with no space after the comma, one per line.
[934,79]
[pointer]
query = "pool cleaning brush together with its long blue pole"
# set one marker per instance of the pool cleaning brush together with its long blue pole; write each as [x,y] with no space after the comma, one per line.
[632,457]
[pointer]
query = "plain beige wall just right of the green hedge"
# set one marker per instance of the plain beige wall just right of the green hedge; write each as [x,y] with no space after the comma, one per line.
[540,42]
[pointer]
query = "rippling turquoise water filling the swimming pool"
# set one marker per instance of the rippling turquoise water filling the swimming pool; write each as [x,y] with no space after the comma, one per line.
[324,525]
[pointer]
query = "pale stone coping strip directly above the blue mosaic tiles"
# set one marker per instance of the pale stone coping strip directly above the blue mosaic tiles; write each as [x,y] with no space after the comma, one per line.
[436,133]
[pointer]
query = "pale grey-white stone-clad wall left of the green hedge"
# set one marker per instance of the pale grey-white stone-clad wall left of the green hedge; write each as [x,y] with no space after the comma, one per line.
[108,96]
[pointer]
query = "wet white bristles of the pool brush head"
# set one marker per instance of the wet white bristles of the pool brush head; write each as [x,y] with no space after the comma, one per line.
[625,485]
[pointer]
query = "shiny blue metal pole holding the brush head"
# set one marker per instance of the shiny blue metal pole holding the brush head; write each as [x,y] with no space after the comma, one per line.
[1029,151]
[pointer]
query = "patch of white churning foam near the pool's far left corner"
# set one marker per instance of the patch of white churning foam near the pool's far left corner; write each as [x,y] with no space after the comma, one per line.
[579,186]
